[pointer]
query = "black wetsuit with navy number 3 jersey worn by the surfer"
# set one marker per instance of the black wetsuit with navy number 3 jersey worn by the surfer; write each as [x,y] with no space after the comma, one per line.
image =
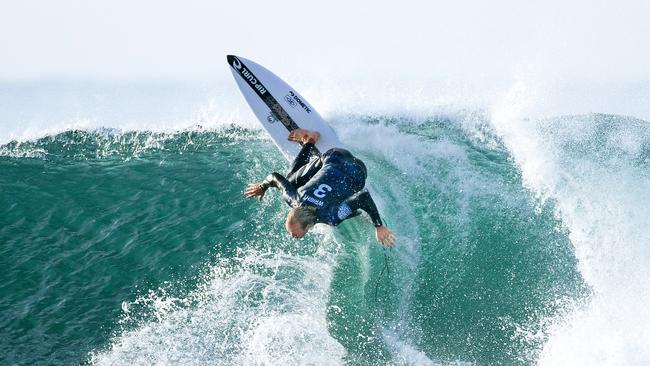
[332,182]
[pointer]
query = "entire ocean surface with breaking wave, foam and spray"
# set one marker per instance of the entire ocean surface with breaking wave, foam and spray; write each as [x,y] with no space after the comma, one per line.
[125,239]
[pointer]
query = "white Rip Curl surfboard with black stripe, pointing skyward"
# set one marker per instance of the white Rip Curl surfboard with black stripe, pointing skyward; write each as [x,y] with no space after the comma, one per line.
[279,107]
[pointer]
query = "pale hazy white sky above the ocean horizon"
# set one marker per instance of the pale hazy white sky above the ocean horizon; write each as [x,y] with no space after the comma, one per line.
[177,40]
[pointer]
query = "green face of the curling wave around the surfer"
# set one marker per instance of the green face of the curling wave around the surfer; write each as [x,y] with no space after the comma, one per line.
[135,248]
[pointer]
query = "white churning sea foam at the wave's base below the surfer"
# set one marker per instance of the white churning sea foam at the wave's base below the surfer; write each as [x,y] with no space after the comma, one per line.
[260,308]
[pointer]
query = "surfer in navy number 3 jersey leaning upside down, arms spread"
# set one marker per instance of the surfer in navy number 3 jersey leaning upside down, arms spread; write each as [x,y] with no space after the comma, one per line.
[322,188]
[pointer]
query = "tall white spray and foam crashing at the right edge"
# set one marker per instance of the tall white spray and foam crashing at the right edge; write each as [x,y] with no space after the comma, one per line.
[602,197]
